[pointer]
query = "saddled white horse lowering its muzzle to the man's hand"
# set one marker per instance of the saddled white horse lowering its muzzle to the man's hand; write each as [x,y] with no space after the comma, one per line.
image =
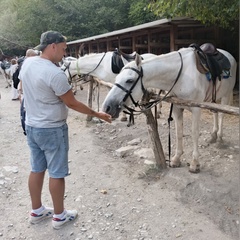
[161,72]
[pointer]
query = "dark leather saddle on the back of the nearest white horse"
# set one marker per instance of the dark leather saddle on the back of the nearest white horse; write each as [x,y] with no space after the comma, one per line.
[212,63]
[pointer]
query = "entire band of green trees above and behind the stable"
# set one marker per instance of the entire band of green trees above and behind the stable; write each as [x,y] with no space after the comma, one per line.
[23,21]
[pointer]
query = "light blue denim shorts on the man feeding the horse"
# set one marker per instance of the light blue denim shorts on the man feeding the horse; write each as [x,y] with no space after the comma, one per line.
[49,150]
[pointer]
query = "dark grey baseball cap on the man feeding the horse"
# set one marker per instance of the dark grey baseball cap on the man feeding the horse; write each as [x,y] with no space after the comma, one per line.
[50,37]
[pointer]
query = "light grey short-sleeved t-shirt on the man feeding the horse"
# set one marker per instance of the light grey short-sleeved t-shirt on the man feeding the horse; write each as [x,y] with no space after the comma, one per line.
[43,82]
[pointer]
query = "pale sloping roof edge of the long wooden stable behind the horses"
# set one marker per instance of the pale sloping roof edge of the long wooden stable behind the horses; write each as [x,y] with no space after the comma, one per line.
[126,30]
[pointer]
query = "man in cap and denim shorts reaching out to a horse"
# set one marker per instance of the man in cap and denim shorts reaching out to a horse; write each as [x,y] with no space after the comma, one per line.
[47,97]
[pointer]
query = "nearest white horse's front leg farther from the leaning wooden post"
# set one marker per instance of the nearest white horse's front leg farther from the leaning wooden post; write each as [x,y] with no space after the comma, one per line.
[194,164]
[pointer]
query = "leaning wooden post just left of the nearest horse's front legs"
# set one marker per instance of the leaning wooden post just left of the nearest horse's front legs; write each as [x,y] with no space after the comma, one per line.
[154,135]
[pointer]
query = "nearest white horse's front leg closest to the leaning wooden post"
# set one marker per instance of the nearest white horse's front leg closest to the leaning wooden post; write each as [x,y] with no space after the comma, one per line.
[178,118]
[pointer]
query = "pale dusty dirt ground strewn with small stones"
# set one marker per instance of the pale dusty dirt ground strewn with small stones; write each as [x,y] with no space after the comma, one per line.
[123,197]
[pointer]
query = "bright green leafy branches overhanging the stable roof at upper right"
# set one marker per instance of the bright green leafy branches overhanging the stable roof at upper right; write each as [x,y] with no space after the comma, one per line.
[210,12]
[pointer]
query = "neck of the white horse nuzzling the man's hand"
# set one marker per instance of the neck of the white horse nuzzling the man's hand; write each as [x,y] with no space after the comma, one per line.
[161,72]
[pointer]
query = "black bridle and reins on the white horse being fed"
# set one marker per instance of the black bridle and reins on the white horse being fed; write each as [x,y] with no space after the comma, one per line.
[143,106]
